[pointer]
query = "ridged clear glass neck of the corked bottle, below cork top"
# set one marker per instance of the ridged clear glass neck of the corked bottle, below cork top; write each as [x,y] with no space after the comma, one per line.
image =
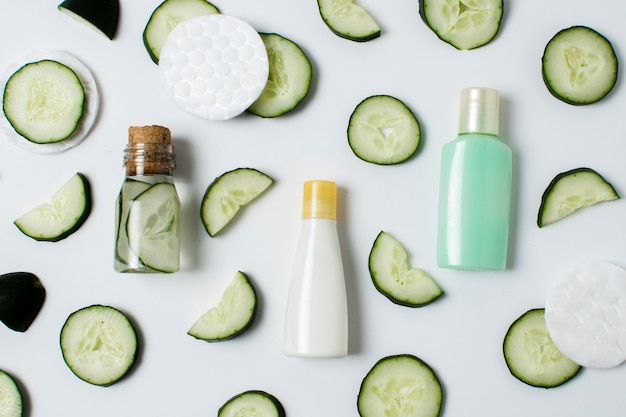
[149,159]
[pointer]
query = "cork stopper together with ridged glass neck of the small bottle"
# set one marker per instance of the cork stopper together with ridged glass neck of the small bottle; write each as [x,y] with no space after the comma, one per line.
[149,151]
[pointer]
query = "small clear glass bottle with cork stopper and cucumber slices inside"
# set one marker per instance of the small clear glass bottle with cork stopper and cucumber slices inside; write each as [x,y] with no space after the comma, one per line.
[147,211]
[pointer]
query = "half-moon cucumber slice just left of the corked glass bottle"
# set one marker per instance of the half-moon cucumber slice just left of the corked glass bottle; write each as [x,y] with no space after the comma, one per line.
[63,215]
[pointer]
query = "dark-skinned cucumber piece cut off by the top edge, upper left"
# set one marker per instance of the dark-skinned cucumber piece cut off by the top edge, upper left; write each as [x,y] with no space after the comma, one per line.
[99,15]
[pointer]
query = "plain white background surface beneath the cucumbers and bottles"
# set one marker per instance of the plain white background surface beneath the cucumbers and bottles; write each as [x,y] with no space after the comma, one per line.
[460,335]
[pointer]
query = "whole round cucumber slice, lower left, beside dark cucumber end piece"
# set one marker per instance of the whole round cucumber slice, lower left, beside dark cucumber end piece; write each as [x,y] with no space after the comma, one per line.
[99,344]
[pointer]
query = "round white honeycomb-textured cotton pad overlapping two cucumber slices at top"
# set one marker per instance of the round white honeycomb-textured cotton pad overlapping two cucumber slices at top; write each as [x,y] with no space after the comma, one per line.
[214,66]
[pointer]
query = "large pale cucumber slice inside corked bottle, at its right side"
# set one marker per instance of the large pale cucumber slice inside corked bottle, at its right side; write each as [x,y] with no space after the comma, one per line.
[153,227]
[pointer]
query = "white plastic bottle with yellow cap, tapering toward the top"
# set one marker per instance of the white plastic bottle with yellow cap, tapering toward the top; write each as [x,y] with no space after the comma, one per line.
[316,321]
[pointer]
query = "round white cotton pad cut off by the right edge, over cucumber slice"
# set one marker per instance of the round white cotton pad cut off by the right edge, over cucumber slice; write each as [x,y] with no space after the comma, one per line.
[586,314]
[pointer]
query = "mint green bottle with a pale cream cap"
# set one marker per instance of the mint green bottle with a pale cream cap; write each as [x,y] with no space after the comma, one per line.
[475,188]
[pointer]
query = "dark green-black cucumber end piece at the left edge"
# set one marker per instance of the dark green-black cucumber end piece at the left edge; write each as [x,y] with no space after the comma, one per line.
[21,297]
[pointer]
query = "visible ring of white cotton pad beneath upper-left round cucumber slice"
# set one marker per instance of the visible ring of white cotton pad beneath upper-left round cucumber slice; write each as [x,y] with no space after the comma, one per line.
[90,108]
